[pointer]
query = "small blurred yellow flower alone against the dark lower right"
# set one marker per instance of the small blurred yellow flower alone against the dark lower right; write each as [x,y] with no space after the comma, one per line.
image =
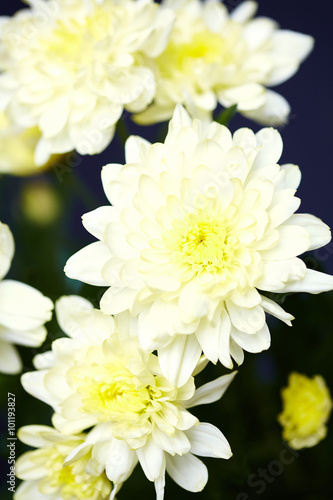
[307,405]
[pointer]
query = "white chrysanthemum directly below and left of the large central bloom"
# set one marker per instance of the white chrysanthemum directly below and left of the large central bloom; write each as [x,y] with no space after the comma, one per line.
[100,377]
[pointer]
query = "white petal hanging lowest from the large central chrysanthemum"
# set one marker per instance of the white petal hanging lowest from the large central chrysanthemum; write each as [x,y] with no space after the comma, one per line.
[179,358]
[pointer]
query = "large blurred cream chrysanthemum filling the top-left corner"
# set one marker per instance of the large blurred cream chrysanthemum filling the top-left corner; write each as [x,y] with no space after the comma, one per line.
[71,67]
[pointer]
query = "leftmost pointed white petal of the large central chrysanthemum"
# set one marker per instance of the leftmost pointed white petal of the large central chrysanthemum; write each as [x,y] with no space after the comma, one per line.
[86,264]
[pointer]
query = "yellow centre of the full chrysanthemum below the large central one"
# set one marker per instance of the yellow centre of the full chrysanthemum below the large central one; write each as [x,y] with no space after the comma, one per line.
[122,390]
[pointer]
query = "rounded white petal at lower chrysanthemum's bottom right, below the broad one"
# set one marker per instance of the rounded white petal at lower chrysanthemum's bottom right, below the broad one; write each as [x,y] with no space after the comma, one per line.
[187,471]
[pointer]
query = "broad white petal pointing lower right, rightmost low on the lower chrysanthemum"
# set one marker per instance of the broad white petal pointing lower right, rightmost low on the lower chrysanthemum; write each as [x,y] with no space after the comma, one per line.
[208,441]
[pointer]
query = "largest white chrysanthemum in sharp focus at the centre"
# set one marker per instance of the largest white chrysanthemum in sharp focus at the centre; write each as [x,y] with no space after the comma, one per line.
[199,226]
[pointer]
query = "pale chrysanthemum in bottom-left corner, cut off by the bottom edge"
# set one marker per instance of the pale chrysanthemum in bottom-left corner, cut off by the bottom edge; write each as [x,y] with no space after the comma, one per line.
[46,477]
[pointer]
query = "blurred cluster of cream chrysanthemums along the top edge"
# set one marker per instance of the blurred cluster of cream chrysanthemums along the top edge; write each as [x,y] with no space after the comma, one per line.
[70,68]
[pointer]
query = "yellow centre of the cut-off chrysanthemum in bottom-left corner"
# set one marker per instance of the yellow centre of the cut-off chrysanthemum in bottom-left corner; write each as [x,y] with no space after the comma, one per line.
[71,481]
